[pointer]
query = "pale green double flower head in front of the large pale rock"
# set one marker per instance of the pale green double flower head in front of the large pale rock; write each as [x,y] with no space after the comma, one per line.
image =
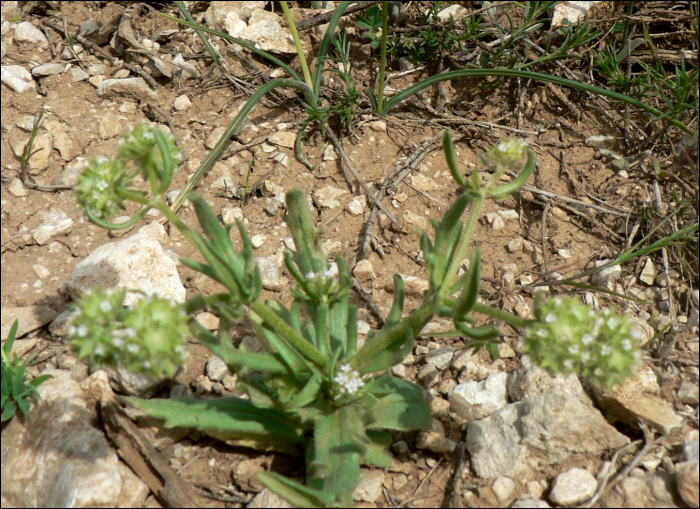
[149,338]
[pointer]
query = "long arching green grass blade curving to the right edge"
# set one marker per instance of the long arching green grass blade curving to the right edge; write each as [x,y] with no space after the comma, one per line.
[468,73]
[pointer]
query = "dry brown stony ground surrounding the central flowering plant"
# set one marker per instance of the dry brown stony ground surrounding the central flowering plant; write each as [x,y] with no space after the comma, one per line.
[524,240]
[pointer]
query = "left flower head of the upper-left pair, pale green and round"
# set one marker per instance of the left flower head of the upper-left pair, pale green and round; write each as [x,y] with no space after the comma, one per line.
[98,184]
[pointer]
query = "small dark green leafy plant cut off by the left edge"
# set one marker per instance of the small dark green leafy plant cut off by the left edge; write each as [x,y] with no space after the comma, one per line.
[17,393]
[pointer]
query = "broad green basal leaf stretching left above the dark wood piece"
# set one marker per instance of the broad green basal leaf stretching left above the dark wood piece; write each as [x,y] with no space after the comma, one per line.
[226,419]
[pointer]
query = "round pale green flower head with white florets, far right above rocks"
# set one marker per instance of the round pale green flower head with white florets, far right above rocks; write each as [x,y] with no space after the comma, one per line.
[570,337]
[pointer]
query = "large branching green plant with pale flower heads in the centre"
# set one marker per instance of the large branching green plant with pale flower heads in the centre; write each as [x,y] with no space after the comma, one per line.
[314,391]
